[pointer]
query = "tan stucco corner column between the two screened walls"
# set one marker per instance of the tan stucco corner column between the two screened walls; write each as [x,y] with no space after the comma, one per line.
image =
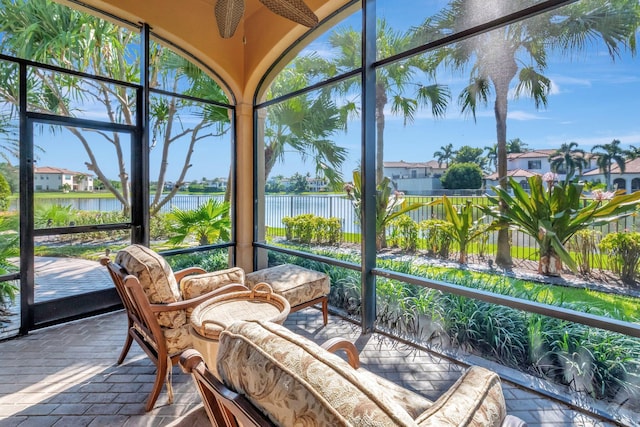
[244,188]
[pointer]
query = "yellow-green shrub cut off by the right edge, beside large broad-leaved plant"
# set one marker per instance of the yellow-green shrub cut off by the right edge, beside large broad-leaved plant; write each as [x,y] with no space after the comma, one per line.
[624,254]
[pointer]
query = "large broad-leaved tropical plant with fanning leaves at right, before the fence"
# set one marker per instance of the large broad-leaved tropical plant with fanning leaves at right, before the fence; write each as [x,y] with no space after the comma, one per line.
[553,215]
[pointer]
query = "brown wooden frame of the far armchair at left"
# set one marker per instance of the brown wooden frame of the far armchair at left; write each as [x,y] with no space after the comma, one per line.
[143,326]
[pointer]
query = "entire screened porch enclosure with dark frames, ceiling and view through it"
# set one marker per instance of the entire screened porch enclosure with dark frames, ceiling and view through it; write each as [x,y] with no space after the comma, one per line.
[371,147]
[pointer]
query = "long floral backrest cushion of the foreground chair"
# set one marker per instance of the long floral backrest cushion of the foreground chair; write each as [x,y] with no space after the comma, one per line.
[295,382]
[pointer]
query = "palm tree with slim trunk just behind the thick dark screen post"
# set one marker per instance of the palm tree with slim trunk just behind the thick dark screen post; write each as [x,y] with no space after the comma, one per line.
[398,83]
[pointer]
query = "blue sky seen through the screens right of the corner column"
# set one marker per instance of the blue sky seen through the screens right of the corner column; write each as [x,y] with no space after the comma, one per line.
[593,100]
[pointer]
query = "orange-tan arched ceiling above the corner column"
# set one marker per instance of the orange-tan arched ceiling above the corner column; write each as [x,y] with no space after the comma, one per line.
[240,61]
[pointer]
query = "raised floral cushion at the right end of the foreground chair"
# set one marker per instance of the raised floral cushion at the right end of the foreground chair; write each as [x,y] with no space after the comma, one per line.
[475,399]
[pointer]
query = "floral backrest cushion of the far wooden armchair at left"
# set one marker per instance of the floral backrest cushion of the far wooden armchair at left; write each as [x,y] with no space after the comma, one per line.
[157,280]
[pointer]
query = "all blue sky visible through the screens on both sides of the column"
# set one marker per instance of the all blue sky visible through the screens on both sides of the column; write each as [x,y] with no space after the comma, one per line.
[593,101]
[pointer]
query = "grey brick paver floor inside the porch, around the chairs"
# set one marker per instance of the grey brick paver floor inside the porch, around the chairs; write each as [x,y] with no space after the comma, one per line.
[66,376]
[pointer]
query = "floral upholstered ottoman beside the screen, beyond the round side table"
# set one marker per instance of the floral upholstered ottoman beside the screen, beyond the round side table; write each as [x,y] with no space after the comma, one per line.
[300,286]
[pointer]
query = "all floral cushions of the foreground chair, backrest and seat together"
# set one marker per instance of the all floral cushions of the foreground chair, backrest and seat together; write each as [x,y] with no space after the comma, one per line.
[296,382]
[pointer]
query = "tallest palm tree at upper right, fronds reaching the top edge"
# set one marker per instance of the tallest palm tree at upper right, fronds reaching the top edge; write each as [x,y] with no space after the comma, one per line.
[521,50]
